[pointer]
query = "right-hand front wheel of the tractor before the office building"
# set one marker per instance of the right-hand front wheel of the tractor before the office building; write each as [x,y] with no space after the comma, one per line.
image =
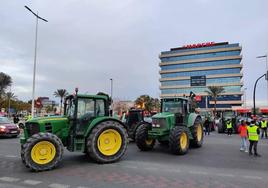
[179,140]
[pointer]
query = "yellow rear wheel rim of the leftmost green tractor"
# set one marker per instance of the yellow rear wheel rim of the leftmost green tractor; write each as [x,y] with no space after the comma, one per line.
[109,142]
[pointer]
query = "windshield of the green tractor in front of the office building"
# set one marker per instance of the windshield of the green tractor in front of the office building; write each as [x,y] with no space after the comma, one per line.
[172,105]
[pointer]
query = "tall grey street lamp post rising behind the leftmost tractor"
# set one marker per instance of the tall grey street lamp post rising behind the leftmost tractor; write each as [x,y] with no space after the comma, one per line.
[35,51]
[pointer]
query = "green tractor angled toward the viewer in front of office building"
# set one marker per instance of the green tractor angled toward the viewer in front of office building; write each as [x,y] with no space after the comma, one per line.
[177,125]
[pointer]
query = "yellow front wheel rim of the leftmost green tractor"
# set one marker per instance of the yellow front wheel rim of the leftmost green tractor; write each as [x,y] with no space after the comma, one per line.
[43,152]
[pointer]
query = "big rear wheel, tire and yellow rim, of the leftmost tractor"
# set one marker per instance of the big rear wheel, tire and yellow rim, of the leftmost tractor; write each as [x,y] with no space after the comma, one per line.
[107,142]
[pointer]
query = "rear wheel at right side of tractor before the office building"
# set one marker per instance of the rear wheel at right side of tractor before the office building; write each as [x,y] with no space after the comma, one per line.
[198,134]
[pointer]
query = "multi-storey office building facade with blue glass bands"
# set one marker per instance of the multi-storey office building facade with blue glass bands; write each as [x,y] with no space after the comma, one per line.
[224,75]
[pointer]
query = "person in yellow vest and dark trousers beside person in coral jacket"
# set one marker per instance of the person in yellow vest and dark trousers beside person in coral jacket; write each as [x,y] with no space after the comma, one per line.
[253,137]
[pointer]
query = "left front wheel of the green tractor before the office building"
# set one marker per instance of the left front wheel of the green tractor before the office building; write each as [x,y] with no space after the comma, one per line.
[142,140]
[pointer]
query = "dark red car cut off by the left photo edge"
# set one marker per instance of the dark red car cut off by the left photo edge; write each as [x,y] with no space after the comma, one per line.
[7,128]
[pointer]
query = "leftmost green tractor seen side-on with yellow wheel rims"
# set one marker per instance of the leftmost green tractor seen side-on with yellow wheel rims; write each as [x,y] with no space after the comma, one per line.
[85,127]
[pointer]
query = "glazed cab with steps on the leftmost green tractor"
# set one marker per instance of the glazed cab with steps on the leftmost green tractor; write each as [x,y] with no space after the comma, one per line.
[81,110]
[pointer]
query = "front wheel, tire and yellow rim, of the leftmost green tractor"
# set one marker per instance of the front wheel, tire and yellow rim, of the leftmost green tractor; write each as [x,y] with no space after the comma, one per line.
[42,151]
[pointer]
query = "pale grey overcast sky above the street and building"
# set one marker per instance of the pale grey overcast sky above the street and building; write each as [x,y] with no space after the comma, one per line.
[85,43]
